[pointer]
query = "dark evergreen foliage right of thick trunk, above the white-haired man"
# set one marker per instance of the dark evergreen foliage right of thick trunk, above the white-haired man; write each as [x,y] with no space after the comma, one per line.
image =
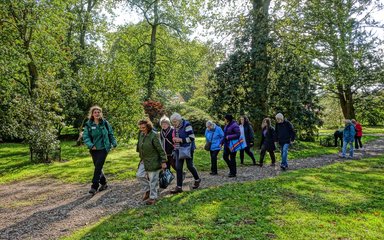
[292,93]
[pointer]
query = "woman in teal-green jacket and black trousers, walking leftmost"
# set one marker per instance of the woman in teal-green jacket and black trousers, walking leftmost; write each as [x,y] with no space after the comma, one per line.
[99,138]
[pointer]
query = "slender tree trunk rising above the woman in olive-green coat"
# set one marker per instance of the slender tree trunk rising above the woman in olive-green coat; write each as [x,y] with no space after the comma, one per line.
[152,57]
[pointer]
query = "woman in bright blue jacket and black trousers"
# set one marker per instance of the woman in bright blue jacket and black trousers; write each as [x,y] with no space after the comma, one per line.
[214,134]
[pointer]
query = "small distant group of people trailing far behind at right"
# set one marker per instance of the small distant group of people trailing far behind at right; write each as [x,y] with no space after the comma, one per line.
[351,133]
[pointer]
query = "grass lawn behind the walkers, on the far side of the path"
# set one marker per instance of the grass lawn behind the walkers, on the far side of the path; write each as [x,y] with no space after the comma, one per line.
[121,163]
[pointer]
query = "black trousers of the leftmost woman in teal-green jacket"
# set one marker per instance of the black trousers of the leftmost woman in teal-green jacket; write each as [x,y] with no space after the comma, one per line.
[98,157]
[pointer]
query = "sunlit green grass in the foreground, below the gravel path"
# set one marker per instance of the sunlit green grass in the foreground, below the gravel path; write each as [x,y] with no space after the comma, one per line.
[340,201]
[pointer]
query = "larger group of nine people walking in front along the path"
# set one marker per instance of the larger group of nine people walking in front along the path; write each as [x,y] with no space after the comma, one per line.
[175,144]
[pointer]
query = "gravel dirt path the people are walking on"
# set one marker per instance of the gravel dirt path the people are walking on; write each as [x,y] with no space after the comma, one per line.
[49,209]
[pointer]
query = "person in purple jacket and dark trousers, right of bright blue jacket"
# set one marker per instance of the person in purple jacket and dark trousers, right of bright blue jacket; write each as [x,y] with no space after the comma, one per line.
[231,132]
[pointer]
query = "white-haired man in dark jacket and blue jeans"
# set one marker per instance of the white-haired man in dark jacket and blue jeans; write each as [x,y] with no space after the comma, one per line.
[285,135]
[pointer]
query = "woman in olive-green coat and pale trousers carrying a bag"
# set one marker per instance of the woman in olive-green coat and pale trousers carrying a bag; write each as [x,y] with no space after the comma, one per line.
[152,160]
